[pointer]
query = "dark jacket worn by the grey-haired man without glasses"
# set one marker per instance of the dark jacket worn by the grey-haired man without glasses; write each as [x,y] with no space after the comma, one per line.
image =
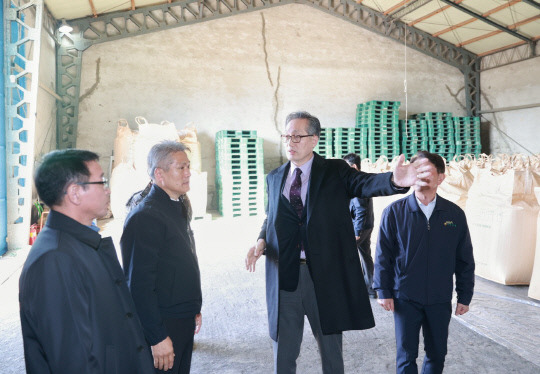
[160,263]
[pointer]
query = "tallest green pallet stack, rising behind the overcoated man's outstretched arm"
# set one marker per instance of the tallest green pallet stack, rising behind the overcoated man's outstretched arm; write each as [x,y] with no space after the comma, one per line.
[381,120]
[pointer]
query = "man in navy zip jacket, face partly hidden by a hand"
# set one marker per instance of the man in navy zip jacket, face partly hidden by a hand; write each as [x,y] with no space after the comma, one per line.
[423,241]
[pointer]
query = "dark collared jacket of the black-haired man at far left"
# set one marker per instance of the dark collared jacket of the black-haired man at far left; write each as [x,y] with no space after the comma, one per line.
[77,315]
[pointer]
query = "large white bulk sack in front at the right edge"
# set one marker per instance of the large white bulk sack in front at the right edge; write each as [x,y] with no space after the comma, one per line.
[502,213]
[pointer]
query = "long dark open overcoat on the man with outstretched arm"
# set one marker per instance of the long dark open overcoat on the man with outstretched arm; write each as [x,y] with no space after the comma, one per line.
[330,245]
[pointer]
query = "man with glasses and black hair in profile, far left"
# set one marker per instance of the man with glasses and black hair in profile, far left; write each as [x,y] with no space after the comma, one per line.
[76,311]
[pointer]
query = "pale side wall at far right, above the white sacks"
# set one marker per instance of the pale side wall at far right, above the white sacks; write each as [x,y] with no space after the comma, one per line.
[512,85]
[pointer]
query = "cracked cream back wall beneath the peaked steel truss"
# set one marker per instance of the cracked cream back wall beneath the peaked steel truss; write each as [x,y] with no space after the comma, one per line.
[248,72]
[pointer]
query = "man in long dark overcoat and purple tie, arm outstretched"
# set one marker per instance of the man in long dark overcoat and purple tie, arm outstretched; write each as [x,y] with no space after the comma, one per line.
[312,264]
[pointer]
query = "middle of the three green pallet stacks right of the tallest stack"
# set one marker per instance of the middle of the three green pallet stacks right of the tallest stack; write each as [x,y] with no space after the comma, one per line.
[440,127]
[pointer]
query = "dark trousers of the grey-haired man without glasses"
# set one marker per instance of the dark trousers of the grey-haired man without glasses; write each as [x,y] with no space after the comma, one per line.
[181,331]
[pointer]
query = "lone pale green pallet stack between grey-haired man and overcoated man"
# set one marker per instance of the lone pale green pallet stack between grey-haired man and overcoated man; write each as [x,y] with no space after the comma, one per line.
[239,173]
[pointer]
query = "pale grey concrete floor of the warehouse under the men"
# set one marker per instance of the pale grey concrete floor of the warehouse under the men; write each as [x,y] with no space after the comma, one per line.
[500,334]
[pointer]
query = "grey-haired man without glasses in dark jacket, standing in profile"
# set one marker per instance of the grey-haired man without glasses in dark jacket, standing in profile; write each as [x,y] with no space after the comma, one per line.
[160,262]
